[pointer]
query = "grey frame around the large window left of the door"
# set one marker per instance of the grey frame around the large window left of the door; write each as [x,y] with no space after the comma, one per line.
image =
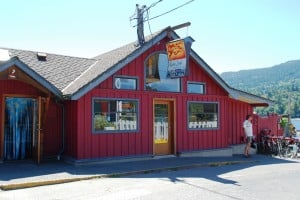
[137,101]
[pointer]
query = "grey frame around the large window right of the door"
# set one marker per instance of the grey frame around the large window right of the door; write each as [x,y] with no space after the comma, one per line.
[203,102]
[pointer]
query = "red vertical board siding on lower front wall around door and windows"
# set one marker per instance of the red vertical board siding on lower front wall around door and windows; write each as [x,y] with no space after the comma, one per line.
[91,145]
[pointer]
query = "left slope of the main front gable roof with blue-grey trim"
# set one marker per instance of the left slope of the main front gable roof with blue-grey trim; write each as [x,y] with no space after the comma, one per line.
[109,63]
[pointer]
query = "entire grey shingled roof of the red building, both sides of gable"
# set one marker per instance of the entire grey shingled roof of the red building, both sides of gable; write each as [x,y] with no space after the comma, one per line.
[73,77]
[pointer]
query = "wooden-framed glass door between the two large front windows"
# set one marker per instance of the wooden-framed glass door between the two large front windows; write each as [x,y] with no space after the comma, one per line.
[163,127]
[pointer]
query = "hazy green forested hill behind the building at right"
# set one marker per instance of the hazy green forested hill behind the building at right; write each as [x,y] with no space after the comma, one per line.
[280,83]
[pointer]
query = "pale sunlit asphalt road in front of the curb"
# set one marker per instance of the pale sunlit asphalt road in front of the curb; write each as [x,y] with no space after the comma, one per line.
[275,180]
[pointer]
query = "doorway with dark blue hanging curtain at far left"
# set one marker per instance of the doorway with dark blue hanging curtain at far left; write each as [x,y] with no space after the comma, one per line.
[20,123]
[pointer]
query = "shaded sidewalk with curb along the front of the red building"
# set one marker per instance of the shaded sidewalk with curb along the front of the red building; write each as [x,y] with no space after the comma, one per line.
[16,175]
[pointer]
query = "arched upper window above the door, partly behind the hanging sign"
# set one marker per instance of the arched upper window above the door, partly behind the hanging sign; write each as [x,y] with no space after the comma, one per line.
[157,77]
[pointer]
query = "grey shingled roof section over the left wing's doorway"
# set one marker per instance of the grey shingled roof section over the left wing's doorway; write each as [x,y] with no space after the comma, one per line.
[57,70]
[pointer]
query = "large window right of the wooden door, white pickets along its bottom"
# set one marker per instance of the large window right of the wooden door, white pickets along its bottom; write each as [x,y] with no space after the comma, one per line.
[203,115]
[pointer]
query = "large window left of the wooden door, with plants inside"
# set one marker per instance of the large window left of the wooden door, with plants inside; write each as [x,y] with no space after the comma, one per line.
[114,115]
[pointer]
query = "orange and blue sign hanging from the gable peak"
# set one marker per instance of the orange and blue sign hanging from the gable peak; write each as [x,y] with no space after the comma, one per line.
[178,56]
